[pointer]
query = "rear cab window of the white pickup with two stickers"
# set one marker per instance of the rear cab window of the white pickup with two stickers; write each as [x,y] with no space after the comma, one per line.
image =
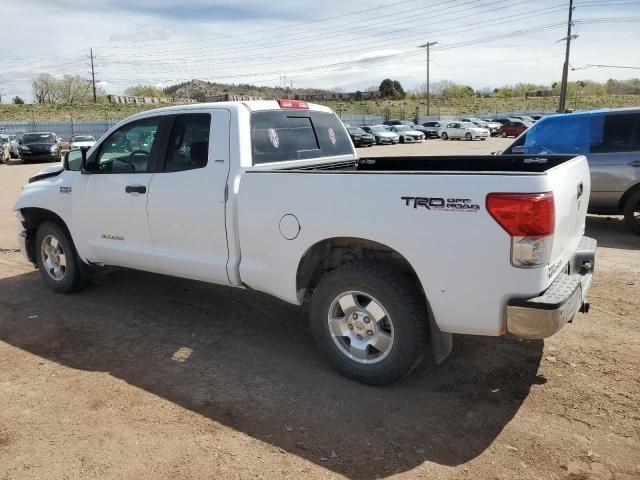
[286,135]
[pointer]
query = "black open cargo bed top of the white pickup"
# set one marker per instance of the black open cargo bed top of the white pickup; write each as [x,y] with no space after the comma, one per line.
[449,164]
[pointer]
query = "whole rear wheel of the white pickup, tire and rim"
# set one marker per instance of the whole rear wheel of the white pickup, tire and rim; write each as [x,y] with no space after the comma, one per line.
[370,322]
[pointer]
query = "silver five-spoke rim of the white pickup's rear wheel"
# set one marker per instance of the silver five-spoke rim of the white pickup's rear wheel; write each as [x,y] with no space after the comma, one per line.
[361,327]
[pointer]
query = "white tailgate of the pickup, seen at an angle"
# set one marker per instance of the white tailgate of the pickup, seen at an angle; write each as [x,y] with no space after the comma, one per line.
[571,186]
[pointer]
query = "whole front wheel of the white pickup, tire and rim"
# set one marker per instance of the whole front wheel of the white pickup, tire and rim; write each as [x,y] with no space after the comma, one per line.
[57,259]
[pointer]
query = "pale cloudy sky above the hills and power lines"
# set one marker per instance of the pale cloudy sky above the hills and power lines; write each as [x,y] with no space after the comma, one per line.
[329,44]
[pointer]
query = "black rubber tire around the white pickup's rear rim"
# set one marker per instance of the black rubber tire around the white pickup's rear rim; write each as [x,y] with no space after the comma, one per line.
[407,313]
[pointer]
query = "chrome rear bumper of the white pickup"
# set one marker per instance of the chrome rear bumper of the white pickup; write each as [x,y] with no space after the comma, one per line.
[542,316]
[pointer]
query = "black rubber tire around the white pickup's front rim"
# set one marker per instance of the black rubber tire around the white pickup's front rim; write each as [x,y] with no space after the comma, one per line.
[74,277]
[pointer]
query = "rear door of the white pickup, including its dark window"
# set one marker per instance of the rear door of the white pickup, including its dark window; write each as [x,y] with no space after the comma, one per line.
[187,197]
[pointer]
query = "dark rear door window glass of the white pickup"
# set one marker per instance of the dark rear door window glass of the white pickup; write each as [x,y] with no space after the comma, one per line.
[188,146]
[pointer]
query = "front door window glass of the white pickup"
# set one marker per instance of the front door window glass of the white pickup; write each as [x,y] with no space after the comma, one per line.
[129,149]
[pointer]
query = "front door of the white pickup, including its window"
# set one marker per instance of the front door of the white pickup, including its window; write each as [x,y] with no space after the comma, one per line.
[110,204]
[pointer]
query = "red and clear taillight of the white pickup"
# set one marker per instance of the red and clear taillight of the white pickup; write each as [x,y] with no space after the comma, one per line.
[529,218]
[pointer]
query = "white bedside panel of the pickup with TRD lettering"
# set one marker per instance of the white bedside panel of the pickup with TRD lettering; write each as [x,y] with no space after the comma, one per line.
[461,258]
